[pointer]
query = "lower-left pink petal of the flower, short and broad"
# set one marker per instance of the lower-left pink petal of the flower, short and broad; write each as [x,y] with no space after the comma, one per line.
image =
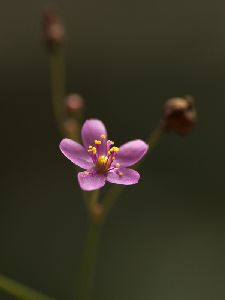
[91,181]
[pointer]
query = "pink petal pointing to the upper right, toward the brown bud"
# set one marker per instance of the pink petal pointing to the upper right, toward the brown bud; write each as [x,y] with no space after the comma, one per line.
[131,152]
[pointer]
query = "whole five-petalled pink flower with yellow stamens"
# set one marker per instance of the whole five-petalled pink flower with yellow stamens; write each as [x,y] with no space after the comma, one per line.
[101,160]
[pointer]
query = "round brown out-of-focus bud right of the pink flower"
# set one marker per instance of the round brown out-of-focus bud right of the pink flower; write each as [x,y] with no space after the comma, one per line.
[179,114]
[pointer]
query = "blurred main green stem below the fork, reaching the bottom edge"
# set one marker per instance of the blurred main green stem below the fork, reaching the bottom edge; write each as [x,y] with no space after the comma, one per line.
[89,260]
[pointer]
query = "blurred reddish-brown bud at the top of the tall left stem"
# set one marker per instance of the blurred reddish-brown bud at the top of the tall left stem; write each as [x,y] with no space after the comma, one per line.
[53,29]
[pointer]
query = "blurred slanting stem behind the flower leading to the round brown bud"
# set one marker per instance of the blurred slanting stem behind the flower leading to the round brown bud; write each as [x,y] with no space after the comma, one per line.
[114,192]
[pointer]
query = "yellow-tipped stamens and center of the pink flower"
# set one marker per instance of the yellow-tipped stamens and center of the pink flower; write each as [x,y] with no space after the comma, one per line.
[103,154]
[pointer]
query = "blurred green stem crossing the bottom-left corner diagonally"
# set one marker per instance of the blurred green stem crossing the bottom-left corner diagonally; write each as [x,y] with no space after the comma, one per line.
[20,291]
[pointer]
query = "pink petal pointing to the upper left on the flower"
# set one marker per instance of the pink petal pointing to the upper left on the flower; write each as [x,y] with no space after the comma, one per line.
[76,153]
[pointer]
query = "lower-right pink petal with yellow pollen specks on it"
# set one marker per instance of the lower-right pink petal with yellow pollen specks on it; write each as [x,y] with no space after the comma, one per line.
[127,177]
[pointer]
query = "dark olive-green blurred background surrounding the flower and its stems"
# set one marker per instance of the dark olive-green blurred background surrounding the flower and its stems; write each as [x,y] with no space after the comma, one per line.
[165,238]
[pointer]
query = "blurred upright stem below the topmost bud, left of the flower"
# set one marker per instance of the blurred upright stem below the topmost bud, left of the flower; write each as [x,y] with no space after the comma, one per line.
[57,69]
